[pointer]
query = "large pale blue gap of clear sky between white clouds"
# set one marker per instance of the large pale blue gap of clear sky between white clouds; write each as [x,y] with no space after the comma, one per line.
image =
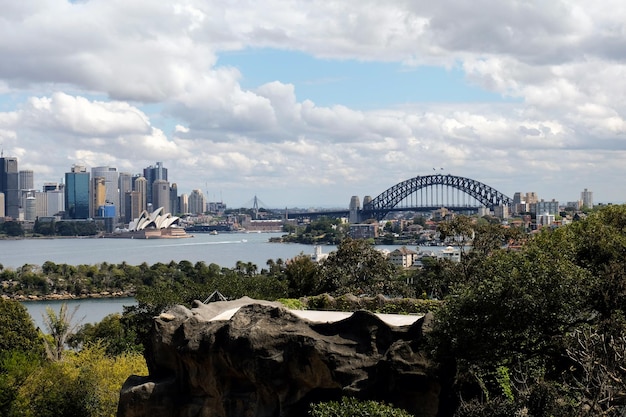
[358,84]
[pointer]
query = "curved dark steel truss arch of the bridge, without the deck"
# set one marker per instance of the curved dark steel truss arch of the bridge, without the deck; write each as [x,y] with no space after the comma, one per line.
[385,202]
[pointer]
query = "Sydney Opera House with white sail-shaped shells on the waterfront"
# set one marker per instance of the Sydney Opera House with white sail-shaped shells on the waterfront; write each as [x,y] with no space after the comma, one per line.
[155,225]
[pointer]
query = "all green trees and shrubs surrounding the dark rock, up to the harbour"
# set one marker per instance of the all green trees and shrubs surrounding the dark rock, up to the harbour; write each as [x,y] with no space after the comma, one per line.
[537,331]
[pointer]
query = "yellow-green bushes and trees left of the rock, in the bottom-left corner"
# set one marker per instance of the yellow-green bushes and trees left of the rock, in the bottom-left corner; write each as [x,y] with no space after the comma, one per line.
[83,382]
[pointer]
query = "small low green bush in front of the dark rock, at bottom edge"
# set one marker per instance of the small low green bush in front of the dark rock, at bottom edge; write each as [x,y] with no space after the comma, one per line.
[351,407]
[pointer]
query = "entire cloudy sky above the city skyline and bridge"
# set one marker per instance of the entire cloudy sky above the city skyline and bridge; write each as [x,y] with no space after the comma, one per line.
[306,103]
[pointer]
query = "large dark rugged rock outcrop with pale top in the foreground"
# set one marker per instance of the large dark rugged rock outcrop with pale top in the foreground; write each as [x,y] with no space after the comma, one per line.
[255,358]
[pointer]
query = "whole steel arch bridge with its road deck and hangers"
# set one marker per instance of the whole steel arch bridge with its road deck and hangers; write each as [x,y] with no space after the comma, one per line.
[439,186]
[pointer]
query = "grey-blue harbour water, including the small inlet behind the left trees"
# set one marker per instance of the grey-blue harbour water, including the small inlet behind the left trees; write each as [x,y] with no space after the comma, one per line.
[222,249]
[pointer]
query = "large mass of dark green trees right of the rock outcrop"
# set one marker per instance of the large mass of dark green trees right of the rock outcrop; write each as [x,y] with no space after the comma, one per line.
[540,331]
